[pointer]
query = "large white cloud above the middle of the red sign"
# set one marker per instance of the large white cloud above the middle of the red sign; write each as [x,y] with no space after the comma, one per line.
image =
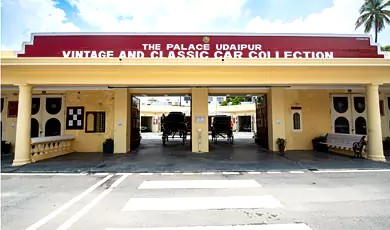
[156,15]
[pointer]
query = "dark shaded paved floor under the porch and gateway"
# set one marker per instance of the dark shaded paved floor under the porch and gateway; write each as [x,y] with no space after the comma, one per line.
[243,155]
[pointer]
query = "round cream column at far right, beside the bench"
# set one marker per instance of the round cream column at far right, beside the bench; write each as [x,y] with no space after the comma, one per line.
[375,145]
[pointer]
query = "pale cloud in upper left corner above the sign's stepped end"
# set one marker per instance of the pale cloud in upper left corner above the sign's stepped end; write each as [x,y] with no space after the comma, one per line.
[20,18]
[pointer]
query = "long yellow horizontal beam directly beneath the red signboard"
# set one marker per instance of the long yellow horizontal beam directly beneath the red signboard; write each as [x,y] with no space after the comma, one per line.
[186,72]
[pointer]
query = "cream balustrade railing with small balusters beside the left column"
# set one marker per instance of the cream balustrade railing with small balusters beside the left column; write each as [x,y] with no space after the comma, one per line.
[48,147]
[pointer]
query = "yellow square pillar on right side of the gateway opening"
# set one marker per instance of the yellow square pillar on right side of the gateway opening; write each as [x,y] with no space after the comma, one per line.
[276,119]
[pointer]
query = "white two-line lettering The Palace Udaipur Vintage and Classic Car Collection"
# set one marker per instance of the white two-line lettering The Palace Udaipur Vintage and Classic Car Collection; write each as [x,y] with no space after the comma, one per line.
[198,51]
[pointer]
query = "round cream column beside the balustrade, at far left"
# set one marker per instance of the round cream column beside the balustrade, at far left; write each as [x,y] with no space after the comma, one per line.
[23,127]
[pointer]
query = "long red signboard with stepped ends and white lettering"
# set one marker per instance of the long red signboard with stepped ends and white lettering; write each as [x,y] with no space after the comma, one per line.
[200,46]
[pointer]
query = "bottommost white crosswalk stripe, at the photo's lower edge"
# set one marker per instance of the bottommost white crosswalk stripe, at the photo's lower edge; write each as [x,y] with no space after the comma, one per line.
[235,227]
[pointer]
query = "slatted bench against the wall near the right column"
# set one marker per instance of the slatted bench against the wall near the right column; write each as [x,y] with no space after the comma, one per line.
[346,142]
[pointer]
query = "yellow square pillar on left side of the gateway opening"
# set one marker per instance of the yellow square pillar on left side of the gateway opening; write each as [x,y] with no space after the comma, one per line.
[121,121]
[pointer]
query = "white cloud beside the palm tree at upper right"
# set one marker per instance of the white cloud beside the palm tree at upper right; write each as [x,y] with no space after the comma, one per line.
[340,18]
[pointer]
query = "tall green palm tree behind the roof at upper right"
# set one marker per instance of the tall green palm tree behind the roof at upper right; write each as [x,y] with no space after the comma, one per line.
[373,14]
